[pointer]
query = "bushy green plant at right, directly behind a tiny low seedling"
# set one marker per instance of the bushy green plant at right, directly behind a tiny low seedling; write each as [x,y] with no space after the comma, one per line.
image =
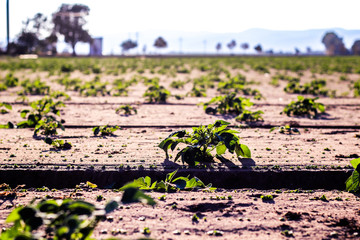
[304,107]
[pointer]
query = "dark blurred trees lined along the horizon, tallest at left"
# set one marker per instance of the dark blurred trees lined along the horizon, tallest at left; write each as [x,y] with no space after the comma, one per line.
[41,34]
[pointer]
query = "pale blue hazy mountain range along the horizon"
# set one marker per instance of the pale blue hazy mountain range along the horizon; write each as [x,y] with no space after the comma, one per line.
[200,42]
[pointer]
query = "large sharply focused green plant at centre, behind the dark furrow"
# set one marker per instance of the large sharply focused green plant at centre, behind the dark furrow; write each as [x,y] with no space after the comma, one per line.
[202,141]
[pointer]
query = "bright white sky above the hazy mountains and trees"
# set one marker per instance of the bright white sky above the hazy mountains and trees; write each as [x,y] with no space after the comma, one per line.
[123,19]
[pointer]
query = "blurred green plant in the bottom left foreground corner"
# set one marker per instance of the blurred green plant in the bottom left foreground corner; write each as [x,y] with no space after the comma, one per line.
[64,219]
